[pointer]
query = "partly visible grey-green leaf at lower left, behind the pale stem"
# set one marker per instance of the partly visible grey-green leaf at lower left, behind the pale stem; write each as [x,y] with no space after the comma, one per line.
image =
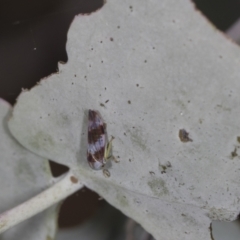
[22,176]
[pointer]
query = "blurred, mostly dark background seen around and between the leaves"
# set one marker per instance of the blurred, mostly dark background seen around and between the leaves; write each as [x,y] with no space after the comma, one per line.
[33,35]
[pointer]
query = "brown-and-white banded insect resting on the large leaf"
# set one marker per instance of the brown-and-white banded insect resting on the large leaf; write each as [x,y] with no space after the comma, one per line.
[98,151]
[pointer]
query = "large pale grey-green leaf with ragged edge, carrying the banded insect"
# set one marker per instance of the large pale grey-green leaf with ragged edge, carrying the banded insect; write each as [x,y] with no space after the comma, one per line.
[166,82]
